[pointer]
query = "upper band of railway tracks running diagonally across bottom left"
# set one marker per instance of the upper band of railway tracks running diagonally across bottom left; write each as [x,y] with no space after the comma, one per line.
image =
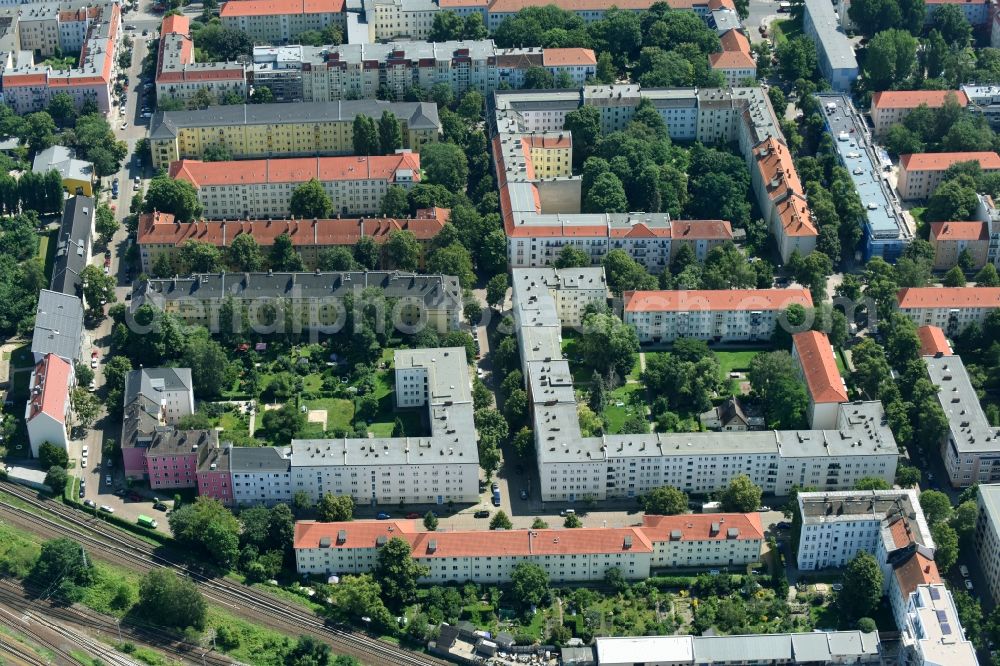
[254,605]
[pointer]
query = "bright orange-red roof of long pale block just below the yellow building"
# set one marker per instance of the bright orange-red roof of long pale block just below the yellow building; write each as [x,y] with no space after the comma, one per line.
[294,170]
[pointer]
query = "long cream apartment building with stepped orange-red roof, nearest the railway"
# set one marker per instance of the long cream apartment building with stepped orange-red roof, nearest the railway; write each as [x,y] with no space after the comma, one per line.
[579,555]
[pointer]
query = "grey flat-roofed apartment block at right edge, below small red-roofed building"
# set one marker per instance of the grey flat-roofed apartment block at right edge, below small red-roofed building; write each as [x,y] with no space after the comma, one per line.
[970,449]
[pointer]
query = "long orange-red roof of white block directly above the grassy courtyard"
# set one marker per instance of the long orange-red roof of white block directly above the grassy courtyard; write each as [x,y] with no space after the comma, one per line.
[711,300]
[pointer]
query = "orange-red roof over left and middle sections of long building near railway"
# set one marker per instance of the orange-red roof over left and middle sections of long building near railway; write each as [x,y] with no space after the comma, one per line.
[474,543]
